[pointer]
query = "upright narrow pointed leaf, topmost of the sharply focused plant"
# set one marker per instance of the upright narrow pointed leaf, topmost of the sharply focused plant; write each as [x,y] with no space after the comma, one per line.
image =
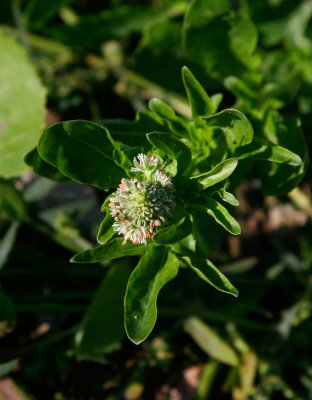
[199,100]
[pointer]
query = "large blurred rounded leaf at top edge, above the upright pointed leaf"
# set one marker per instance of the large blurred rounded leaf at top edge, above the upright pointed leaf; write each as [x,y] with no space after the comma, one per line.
[220,38]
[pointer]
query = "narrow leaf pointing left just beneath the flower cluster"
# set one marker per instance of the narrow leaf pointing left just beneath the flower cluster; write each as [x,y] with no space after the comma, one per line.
[109,251]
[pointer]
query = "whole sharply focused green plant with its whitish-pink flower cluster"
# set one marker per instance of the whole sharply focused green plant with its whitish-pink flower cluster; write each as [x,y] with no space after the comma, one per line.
[173,175]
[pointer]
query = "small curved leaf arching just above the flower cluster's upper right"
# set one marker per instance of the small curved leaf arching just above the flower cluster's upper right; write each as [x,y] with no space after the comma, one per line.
[173,147]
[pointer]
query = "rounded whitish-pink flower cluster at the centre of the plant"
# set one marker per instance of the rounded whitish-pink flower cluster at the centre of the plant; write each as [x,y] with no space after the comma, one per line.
[139,207]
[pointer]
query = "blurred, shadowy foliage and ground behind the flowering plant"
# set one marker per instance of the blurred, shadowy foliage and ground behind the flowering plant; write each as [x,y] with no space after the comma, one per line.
[69,60]
